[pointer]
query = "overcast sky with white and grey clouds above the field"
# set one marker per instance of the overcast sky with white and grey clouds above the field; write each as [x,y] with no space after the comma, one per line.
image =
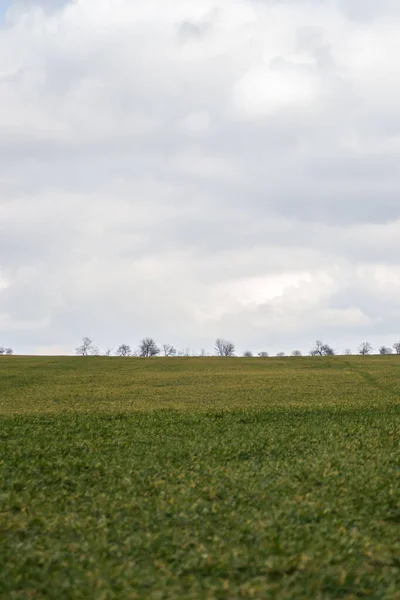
[192,170]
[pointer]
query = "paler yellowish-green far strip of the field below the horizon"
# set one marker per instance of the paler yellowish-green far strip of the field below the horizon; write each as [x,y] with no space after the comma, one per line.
[38,385]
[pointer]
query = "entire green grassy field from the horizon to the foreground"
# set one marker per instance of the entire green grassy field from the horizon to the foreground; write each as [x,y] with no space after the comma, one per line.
[200,478]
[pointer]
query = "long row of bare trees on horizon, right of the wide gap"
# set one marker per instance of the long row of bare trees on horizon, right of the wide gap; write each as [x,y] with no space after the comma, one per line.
[149,348]
